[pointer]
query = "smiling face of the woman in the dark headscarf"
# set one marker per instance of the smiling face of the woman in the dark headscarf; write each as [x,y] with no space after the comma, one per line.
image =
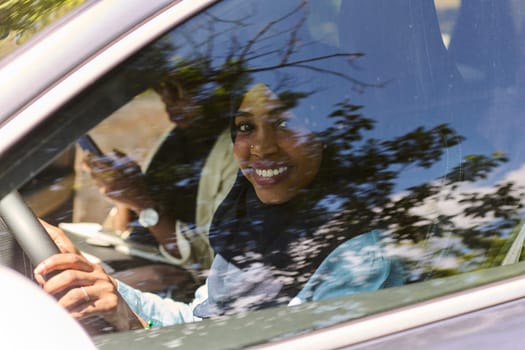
[277,154]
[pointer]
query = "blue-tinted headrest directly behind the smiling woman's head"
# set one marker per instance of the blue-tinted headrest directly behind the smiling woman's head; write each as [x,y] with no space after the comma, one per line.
[402,48]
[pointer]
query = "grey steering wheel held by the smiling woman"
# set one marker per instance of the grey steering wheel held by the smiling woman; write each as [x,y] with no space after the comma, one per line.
[36,243]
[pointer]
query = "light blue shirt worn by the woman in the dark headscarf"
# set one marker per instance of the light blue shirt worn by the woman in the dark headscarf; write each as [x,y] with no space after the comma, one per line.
[358,265]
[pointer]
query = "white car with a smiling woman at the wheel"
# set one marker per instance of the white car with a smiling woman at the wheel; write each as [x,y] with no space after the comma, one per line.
[422,105]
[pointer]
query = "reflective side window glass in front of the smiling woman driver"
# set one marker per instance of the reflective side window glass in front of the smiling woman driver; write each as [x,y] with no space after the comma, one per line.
[377,140]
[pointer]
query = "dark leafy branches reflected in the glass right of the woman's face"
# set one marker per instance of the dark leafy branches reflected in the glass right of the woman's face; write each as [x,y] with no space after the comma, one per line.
[367,170]
